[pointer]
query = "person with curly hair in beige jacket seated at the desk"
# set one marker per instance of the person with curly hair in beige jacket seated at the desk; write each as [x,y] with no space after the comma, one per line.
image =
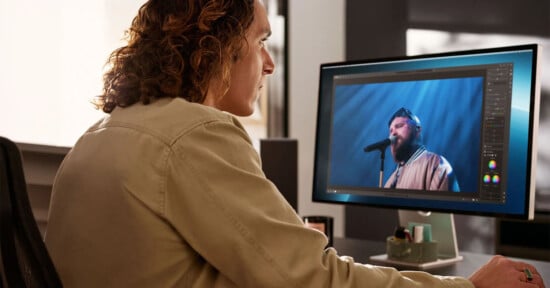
[167,189]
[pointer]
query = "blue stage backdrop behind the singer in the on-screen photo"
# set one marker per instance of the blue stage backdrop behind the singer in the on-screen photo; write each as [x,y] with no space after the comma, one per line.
[450,112]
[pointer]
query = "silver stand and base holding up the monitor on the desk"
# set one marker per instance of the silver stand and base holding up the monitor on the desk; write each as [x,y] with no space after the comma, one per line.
[443,231]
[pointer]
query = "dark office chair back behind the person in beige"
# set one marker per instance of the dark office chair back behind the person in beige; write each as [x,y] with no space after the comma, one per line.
[25,260]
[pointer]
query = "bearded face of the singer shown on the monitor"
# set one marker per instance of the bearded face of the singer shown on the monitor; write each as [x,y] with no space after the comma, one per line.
[406,132]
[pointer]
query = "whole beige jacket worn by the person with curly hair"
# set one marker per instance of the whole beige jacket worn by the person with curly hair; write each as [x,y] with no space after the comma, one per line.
[172,194]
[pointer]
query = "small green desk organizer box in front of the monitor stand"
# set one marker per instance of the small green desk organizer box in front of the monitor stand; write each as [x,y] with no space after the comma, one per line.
[406,251]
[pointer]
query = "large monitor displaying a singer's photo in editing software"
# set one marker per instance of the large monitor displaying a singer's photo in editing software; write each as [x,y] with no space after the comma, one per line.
[449,132]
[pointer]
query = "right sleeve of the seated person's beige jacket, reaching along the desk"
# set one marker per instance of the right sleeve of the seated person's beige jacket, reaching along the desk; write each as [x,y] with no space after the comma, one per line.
[221,203]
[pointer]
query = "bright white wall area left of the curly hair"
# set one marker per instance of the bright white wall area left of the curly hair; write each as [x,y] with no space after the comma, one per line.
[52,56]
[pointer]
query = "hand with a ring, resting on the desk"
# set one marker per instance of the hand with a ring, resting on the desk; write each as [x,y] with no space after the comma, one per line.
[502,272]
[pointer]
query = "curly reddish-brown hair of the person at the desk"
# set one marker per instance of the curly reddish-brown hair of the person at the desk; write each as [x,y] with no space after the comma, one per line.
[175,47]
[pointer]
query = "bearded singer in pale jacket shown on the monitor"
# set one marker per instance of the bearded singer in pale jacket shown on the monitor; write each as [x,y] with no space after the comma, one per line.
[417,168]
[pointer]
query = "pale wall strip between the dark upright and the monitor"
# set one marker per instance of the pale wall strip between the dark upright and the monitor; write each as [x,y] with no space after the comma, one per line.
[316,35]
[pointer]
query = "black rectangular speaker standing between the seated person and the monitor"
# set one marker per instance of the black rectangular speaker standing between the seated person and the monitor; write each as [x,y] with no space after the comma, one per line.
[280,165]
